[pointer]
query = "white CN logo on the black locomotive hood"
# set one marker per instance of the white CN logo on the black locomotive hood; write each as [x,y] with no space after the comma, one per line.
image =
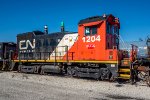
[24,44]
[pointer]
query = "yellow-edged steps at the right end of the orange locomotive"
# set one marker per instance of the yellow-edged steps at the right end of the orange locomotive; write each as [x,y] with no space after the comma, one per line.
[124,69]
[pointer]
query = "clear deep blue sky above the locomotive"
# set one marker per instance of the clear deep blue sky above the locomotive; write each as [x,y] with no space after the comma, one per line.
[19,16]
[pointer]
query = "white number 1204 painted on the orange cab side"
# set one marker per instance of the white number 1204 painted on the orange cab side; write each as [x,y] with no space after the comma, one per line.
[91,38]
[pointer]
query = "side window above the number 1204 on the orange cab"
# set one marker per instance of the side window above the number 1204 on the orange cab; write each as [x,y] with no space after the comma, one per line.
[92,30]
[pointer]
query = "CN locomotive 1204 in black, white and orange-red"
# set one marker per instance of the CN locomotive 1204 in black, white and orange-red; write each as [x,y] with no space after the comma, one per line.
[93,51]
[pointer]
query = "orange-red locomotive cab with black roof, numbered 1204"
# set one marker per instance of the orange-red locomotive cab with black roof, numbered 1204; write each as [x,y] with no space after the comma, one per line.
[98,38]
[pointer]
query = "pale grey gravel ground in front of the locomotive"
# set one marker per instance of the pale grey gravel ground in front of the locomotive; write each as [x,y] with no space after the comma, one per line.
[19,86]
